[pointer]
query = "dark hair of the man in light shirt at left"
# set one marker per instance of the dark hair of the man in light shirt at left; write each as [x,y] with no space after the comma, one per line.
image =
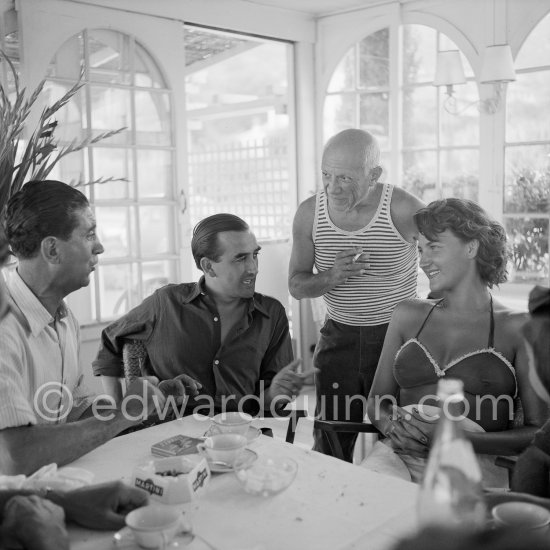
[42,209]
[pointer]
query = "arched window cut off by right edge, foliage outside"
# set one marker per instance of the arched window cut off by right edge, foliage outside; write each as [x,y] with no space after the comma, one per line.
[527,160]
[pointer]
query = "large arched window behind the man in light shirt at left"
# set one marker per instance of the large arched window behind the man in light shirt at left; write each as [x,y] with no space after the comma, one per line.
[123,87]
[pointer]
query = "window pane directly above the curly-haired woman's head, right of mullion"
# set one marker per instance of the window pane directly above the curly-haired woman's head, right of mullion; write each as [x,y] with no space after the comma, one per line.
[460,174]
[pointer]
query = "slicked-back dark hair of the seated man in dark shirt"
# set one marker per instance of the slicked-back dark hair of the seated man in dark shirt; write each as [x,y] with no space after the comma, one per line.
[204,243]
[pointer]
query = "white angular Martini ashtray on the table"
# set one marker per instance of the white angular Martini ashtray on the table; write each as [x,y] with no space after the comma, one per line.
[173,480]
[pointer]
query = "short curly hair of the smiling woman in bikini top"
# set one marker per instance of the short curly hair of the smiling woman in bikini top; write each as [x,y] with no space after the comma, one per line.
[468,221]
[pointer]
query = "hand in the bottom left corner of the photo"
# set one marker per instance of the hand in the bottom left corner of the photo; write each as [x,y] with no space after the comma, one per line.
[33,523]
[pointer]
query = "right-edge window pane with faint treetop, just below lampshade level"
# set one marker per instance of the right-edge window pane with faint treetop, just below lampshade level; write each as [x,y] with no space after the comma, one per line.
[527,179]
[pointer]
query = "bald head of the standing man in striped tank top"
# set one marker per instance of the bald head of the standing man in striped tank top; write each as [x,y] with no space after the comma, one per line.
[350,168]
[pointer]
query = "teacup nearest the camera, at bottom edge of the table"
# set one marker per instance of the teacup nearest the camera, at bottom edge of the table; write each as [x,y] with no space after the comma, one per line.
[154,526]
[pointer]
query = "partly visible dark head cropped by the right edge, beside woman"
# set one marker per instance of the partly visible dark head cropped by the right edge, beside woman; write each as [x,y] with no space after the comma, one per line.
[536,332]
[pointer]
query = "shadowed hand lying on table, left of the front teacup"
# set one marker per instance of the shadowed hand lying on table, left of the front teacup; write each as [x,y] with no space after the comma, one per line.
[102,506]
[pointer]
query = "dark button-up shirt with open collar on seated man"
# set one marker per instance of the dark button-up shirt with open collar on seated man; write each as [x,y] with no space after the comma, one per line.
[180,328]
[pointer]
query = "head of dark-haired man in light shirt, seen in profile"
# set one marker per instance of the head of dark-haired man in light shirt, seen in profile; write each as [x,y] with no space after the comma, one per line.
[51,230]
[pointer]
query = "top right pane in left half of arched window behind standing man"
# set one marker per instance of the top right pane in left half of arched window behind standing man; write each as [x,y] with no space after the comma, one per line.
[374,60]
